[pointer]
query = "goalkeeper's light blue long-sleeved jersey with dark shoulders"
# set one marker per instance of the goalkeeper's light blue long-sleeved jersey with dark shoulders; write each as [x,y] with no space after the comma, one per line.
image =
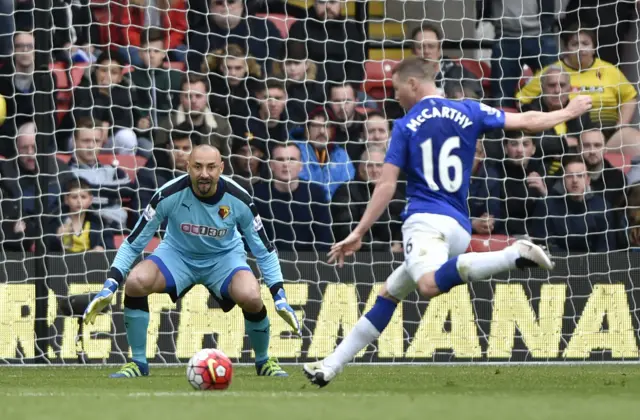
[202,230]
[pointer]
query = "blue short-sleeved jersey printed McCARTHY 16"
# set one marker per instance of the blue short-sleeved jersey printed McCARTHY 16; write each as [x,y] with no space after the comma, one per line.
[434,144]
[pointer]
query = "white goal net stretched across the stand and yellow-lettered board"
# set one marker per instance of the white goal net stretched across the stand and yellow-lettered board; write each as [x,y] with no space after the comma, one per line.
[101,102]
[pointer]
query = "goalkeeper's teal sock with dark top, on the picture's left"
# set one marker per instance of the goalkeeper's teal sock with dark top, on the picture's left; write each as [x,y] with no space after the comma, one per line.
[136,320]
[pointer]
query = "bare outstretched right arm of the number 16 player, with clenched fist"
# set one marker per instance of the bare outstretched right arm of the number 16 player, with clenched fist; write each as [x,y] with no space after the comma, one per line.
[535,121]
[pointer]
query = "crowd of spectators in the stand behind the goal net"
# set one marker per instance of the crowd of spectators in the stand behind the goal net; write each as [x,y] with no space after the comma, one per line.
[295,126]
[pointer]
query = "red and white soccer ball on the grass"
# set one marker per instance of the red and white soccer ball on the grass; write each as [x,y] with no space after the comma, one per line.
[210,369]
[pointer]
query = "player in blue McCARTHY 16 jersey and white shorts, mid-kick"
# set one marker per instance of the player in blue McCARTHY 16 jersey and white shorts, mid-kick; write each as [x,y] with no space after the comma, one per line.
[434,144]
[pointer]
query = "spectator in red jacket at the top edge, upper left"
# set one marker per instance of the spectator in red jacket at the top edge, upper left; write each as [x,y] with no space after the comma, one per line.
[130,17]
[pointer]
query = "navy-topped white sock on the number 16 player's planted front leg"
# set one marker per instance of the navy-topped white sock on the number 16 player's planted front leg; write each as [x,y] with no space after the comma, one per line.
[366,331]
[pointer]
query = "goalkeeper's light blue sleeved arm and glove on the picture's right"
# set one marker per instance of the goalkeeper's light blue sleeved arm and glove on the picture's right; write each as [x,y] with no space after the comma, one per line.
[267,259]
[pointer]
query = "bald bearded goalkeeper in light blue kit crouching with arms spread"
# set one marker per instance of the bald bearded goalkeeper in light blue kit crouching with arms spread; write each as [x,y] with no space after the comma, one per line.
[202,246]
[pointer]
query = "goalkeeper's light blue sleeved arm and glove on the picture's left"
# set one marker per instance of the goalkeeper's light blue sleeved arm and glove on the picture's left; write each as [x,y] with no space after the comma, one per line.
[131,248]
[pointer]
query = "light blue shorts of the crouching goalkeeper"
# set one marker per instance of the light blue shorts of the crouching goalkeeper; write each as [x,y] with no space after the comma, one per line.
[182,273]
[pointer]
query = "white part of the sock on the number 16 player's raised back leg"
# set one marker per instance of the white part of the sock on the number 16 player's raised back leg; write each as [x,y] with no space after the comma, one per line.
[482,265]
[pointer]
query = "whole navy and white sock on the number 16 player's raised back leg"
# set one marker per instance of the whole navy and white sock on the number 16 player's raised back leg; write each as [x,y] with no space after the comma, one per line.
[474,266]
